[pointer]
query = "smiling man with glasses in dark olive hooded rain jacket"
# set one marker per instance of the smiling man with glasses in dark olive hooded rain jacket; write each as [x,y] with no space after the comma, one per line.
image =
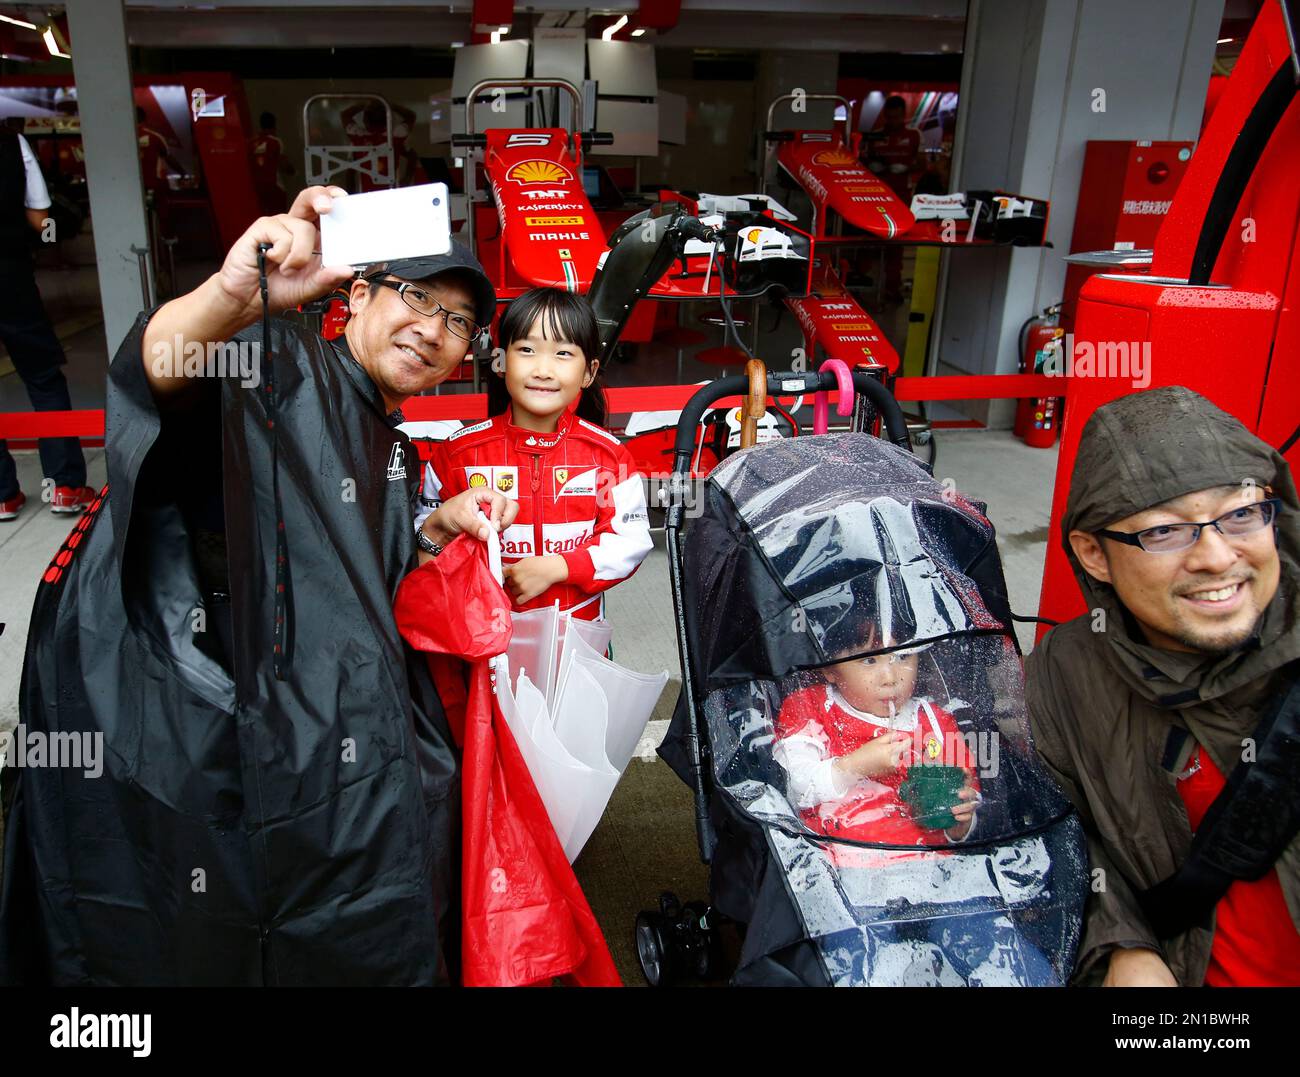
[1146,706]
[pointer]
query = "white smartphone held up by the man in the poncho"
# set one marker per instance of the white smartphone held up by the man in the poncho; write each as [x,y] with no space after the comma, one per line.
[387,226]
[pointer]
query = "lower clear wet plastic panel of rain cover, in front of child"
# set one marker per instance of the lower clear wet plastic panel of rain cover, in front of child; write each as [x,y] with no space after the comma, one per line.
[889,896]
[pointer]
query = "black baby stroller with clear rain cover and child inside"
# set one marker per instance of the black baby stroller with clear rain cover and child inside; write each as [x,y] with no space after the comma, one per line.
[801,560]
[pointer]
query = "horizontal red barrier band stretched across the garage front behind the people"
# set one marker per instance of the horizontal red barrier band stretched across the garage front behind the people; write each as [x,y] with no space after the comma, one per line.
[467,408]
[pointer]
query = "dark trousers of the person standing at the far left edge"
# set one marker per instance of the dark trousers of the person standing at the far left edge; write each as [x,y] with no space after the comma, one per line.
[38,358]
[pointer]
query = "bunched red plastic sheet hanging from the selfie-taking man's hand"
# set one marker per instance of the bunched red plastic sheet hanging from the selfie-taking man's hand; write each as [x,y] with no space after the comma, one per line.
[525,918]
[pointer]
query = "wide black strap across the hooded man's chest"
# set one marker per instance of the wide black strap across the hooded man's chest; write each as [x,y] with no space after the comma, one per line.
[1245,831]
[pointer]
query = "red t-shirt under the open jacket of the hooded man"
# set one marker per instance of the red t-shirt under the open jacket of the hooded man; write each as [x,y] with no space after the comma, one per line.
[1256,944]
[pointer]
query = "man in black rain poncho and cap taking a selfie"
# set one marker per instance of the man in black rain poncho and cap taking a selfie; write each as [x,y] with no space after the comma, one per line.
[279,791]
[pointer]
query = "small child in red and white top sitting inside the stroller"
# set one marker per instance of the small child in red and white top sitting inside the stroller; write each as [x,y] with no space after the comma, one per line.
[870,762]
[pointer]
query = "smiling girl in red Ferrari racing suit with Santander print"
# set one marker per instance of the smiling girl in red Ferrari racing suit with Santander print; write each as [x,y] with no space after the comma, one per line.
[582,525]
